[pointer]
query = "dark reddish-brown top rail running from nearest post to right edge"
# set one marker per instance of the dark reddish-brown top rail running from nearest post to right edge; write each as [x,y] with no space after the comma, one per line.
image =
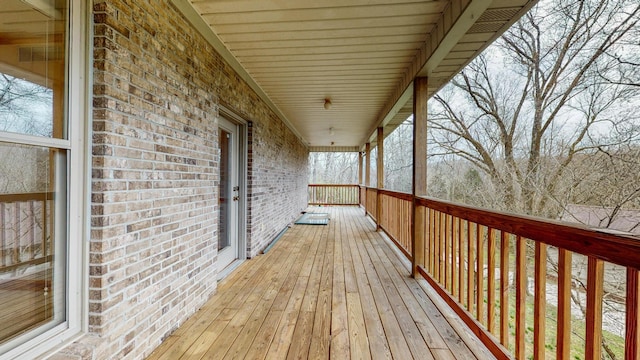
[618,249]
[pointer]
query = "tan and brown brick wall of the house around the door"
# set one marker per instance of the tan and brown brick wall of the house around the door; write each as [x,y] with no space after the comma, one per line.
[154,209]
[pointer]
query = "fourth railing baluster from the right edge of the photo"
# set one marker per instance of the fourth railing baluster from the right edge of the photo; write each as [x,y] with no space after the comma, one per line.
[540,301]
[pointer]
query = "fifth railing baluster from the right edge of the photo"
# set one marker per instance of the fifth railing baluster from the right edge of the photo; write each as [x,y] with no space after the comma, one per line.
[521,293]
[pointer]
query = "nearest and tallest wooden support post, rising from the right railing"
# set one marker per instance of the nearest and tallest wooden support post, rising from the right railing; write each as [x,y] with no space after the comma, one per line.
[419,184]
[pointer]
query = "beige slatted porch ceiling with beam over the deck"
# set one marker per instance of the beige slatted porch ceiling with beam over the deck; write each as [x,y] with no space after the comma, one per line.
[360,54]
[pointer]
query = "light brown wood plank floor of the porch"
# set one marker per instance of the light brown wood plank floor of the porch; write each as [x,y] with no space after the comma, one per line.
[338,291]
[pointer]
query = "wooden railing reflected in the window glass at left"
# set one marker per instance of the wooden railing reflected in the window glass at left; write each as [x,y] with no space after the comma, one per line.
[24,238]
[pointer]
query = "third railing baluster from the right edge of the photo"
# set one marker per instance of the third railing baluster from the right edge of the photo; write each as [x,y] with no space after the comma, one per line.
[563,336]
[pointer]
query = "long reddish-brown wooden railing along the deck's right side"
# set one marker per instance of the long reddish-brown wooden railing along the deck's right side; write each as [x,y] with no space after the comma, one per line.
[513,279]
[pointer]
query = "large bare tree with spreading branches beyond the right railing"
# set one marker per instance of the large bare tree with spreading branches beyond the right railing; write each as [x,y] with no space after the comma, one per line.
[551,90]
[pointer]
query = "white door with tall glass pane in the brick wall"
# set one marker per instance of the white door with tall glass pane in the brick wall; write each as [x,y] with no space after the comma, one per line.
[228,239]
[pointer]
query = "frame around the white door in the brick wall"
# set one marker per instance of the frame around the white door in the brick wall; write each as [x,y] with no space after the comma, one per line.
[243,175]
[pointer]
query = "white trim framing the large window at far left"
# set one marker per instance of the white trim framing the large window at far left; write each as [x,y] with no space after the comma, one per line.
[78,165]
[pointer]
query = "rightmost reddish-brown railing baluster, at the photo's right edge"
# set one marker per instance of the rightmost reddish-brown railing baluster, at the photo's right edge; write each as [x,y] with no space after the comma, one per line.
[632,338]
